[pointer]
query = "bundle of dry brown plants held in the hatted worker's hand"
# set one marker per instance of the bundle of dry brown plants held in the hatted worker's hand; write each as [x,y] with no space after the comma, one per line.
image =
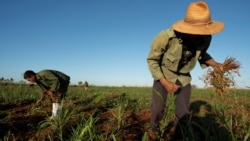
[221,80]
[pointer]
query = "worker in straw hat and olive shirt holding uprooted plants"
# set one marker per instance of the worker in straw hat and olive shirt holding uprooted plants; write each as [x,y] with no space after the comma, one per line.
[174,53]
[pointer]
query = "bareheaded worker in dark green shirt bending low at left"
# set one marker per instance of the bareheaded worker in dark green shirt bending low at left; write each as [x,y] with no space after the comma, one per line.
[53,83]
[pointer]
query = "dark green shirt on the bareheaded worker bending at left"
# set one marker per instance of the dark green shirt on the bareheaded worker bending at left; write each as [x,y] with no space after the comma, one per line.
[51,79]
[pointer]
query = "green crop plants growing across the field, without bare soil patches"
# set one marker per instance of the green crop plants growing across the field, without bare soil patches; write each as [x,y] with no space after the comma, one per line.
[230,114]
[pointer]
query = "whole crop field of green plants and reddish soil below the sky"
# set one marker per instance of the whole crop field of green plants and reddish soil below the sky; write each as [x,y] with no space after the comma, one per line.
[119,114]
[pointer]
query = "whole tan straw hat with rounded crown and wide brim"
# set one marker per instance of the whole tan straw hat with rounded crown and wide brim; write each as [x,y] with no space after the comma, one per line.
[198,21]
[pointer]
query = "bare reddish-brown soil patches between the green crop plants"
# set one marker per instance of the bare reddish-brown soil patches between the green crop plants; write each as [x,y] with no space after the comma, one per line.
[22,124]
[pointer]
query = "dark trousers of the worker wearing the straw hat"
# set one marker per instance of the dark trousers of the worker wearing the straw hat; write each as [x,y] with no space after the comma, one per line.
[159,98]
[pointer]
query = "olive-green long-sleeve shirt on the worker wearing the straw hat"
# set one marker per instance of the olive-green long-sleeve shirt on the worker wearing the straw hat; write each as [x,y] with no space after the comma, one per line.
[166,55]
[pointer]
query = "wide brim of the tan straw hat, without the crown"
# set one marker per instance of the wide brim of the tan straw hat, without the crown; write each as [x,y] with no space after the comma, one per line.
[204,29]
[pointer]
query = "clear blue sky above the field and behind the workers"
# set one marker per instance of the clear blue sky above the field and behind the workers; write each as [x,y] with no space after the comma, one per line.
[106,42]
